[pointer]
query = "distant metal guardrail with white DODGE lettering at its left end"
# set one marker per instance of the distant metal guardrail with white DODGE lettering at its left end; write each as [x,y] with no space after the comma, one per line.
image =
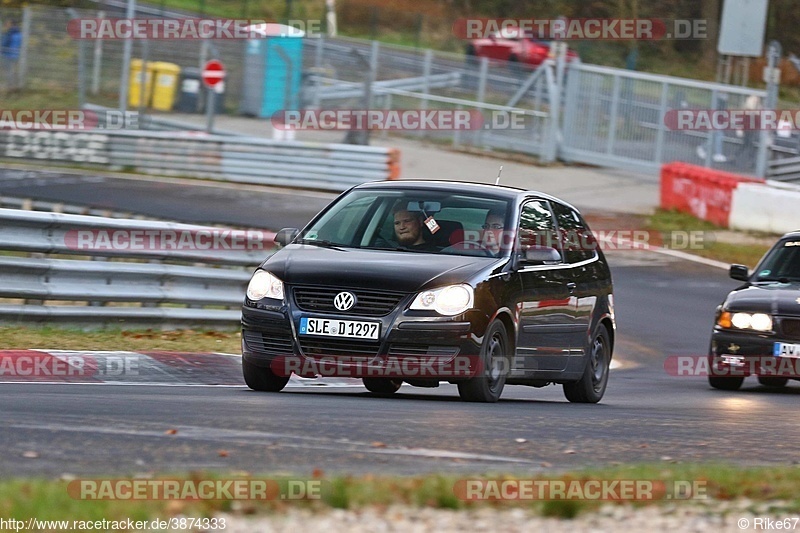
[334,167]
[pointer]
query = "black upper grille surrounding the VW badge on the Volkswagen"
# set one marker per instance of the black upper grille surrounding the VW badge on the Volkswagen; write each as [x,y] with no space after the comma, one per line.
[368,303]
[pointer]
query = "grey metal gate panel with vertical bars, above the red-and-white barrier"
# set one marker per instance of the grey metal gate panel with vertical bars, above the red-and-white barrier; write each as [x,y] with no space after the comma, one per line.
[616,118]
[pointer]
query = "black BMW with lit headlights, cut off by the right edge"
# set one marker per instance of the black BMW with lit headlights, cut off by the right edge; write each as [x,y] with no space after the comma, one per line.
[757,327]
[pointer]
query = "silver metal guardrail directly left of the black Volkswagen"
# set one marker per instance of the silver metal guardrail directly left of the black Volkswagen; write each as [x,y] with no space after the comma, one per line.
[148,288]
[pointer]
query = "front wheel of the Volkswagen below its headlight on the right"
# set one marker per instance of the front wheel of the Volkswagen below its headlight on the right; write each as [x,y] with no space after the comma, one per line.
[488,386]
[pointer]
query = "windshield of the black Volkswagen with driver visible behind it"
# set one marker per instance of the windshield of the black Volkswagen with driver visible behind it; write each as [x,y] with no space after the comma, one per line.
[420,221]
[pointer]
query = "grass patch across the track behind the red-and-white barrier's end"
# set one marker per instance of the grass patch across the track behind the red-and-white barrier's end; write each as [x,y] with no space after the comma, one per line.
[713,246]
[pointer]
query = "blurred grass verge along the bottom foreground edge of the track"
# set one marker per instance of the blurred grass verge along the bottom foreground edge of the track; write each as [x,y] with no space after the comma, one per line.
[60,499]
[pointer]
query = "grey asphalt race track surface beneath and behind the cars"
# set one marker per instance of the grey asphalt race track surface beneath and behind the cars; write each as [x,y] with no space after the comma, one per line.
[664,308]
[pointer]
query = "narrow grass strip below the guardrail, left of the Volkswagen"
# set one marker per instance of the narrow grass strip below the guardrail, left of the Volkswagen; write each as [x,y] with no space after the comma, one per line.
[186,340]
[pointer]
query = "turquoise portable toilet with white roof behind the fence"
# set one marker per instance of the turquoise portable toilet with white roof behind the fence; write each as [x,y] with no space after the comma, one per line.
[273,65]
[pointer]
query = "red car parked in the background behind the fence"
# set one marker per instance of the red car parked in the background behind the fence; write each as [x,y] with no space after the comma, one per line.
[513,45]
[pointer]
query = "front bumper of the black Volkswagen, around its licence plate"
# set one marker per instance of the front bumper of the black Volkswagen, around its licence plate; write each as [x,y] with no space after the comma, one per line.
[411,344]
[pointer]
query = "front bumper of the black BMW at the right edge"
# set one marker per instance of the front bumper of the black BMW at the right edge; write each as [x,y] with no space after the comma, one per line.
[742,354]
